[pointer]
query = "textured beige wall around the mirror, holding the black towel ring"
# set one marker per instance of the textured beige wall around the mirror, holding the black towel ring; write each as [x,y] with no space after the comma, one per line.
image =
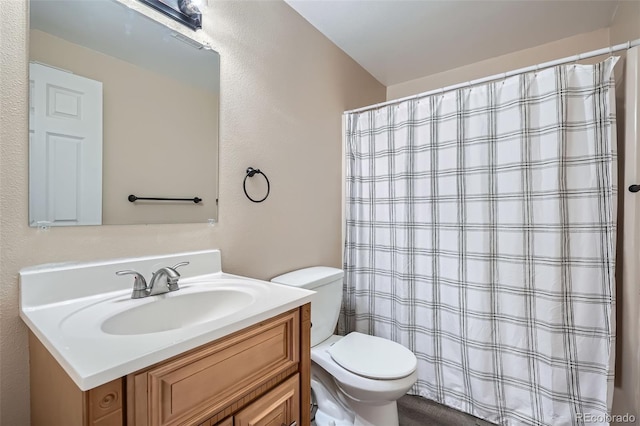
[283,90]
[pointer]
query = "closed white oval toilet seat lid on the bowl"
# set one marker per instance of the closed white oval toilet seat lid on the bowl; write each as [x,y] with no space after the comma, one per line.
[373,357]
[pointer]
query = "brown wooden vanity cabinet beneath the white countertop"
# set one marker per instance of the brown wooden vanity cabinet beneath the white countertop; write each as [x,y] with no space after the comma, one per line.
[258,376]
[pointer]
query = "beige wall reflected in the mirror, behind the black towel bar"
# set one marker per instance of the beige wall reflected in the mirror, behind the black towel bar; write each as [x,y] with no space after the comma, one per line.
[160,135]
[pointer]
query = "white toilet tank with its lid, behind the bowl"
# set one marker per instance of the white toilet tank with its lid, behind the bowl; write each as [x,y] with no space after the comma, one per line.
[325,304]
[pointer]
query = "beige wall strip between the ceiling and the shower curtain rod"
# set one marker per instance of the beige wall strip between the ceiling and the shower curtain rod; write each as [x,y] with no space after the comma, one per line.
[500,64]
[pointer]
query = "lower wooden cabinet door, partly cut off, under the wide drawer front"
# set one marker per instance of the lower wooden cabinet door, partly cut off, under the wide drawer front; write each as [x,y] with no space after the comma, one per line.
[281,406]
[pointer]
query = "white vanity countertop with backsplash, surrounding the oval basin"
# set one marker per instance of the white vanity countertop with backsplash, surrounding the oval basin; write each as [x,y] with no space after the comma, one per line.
[53,295]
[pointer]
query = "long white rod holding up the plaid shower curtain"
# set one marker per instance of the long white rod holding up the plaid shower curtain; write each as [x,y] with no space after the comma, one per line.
[578,57]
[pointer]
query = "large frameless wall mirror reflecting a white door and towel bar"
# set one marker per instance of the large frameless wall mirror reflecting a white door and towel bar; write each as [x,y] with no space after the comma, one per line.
[120,105]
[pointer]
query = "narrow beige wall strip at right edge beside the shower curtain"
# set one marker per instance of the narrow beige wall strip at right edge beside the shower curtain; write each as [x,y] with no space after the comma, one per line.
[626,27]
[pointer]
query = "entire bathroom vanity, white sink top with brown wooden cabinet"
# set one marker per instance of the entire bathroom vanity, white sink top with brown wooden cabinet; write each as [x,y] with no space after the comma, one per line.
[247,365]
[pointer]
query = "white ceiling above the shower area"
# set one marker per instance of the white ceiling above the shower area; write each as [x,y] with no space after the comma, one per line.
[401,40]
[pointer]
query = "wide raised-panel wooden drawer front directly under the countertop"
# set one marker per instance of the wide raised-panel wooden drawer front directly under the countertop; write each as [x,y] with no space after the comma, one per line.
[205,381]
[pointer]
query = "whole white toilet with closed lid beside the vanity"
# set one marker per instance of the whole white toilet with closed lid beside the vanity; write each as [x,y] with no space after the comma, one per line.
[356,379]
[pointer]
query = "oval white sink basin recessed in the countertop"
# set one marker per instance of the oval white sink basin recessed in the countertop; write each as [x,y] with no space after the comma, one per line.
[181,310]
